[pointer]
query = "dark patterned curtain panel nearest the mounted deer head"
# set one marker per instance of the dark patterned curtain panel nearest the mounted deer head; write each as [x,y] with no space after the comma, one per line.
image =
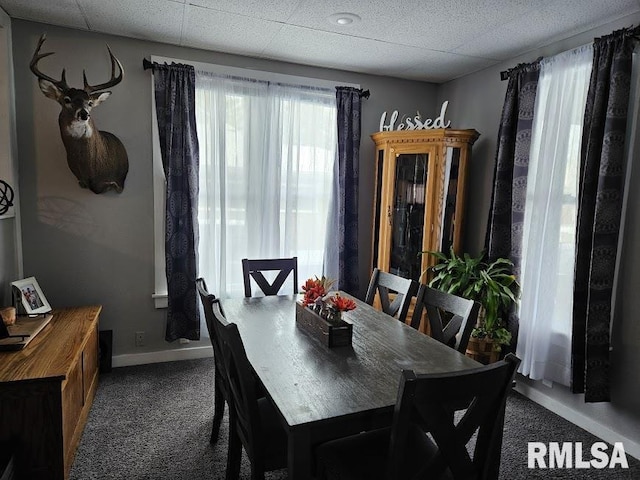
[175,107]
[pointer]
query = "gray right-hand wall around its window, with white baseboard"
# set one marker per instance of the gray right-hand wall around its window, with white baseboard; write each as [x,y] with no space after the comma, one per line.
[478,99]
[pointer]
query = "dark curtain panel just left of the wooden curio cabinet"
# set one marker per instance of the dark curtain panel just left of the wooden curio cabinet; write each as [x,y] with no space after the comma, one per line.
[349,125]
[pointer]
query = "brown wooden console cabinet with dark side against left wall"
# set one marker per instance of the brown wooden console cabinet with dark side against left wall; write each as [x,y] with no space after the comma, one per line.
[46,391]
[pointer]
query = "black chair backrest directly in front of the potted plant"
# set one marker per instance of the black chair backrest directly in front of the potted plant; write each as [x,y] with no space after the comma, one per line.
[451,318]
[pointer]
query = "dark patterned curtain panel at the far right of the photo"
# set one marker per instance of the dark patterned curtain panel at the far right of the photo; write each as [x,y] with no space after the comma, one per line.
[600,192]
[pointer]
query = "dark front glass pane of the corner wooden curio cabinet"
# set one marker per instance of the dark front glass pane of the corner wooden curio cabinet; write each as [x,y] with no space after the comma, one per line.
[407,214]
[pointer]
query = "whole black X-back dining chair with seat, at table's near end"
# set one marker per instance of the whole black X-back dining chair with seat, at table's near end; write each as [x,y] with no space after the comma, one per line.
[423,440]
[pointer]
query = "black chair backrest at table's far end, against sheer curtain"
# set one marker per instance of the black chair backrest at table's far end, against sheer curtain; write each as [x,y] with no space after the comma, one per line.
[253,269]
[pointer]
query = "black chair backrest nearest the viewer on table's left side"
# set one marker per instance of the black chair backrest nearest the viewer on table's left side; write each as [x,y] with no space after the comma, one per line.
[244,399]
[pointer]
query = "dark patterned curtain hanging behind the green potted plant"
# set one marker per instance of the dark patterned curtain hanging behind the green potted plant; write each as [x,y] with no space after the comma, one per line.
[506,214]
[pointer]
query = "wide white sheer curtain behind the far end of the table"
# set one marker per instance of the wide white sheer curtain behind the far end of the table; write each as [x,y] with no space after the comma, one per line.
[266,169]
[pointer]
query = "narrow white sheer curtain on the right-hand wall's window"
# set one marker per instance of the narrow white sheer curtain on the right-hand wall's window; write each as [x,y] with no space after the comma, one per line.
[544,338]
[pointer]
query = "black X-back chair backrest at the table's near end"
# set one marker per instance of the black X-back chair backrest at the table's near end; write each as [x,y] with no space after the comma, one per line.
[424,406]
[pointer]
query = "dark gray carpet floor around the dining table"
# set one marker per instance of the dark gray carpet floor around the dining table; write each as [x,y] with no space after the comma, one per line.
[154,421]
